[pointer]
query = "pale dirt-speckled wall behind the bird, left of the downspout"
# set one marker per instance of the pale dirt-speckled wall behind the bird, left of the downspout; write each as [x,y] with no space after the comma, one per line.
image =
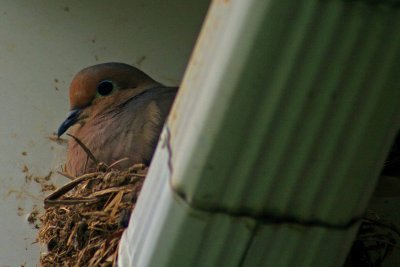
[42,44]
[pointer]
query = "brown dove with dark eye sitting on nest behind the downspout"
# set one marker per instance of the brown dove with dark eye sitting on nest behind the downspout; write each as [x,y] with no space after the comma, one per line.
[117,112]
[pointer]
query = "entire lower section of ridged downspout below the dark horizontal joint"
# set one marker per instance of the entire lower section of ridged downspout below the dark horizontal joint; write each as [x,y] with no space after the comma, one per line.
[189,237]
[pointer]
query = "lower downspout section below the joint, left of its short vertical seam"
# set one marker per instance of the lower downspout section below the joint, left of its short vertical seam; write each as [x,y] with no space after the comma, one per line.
[187,237]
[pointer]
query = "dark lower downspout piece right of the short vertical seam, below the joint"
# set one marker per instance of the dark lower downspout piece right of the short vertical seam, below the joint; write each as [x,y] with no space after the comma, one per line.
[294,245]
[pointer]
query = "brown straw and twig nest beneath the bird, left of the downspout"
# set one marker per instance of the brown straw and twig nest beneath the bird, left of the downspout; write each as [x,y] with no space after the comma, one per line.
[84,219]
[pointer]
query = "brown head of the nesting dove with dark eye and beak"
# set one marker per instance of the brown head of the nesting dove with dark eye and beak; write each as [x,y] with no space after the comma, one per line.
[97,87]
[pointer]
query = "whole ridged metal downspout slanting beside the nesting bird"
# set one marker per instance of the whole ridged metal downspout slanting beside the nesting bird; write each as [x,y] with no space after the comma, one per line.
[276,139]
